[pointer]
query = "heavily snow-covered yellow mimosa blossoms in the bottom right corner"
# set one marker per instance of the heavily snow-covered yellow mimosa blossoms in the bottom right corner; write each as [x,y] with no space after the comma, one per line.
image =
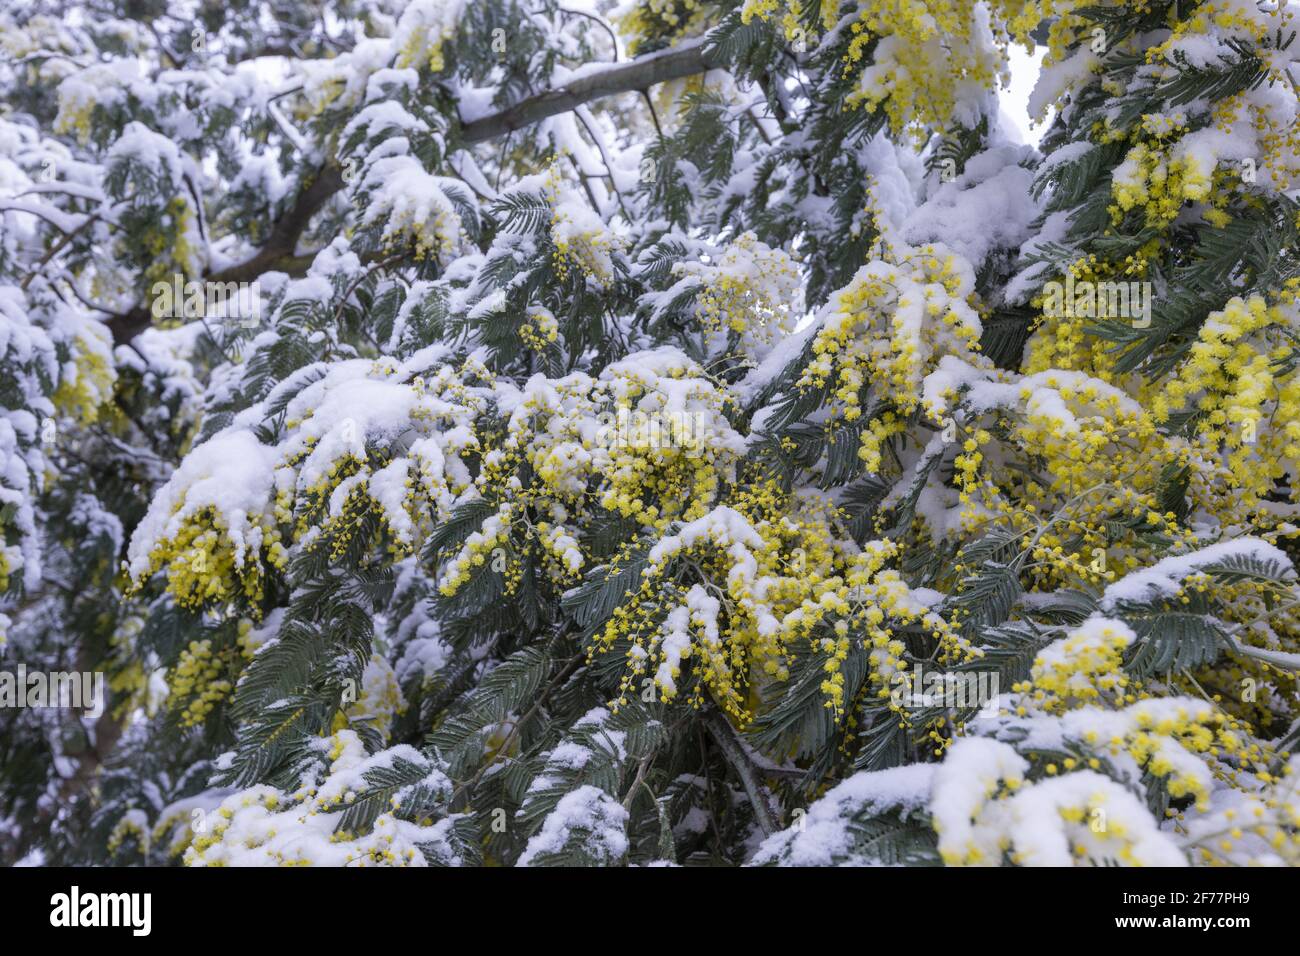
[1078,695]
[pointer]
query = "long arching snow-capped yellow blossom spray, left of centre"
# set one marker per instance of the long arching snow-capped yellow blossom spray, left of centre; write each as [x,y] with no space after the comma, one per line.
[649,440]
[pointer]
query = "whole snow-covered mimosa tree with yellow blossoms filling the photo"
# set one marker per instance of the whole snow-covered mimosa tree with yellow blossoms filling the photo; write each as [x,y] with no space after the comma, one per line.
[638,404]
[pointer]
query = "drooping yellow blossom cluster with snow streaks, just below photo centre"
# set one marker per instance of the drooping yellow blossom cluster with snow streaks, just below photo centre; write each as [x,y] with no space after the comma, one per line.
[769,574]
